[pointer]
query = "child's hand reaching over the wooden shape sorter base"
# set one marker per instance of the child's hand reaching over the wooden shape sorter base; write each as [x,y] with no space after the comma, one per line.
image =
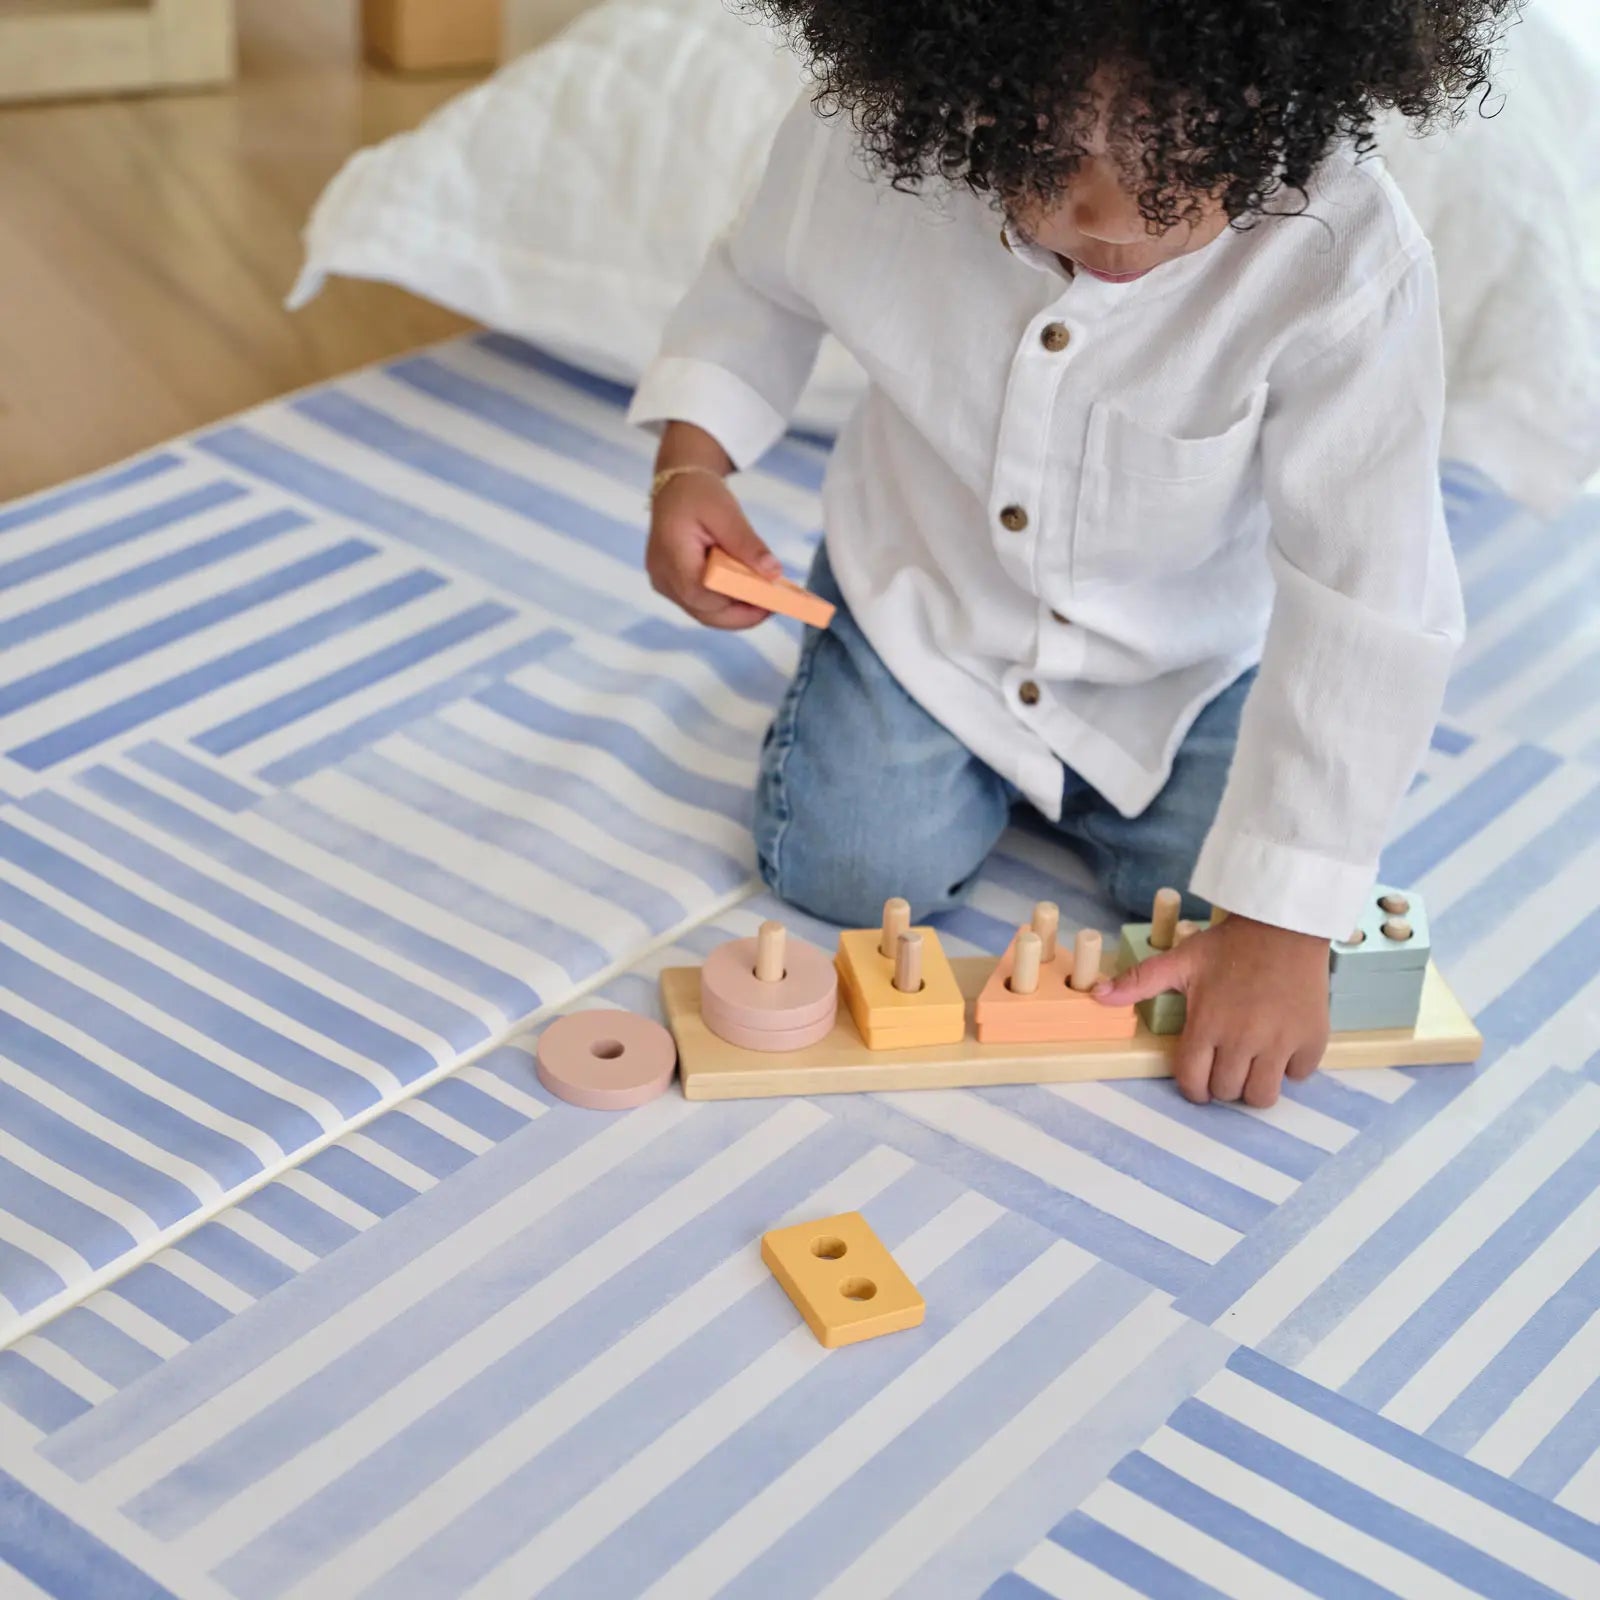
[1257,1007]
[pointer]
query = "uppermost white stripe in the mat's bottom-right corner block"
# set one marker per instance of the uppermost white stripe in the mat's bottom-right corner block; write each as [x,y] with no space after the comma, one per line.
[1473,1521]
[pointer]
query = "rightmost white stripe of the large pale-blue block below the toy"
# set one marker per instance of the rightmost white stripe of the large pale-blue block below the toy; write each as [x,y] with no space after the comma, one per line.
[1014,1450]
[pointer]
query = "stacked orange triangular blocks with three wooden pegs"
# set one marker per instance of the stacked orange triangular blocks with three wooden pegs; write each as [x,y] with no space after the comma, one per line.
[1039,993]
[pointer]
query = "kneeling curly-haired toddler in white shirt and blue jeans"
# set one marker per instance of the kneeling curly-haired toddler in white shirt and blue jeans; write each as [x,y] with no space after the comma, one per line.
[1140,518]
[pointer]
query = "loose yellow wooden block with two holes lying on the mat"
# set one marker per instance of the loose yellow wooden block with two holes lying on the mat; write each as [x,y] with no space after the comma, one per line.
[842,1279]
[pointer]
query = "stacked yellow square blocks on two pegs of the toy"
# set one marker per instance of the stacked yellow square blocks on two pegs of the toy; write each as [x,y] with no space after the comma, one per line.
[898,985]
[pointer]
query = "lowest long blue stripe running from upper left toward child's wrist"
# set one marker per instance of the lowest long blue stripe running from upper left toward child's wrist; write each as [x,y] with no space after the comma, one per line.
[452,545]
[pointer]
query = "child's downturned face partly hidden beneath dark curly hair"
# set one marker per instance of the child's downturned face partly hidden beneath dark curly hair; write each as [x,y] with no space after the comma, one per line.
[1097,223]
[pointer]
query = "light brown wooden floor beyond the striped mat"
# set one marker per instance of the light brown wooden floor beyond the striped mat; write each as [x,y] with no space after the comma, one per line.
[146,247]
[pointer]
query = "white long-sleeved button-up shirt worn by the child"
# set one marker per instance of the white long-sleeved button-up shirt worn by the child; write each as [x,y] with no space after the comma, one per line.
[1068,514]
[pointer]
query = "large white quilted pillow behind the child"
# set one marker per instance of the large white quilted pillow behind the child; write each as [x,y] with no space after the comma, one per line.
[572,199]
